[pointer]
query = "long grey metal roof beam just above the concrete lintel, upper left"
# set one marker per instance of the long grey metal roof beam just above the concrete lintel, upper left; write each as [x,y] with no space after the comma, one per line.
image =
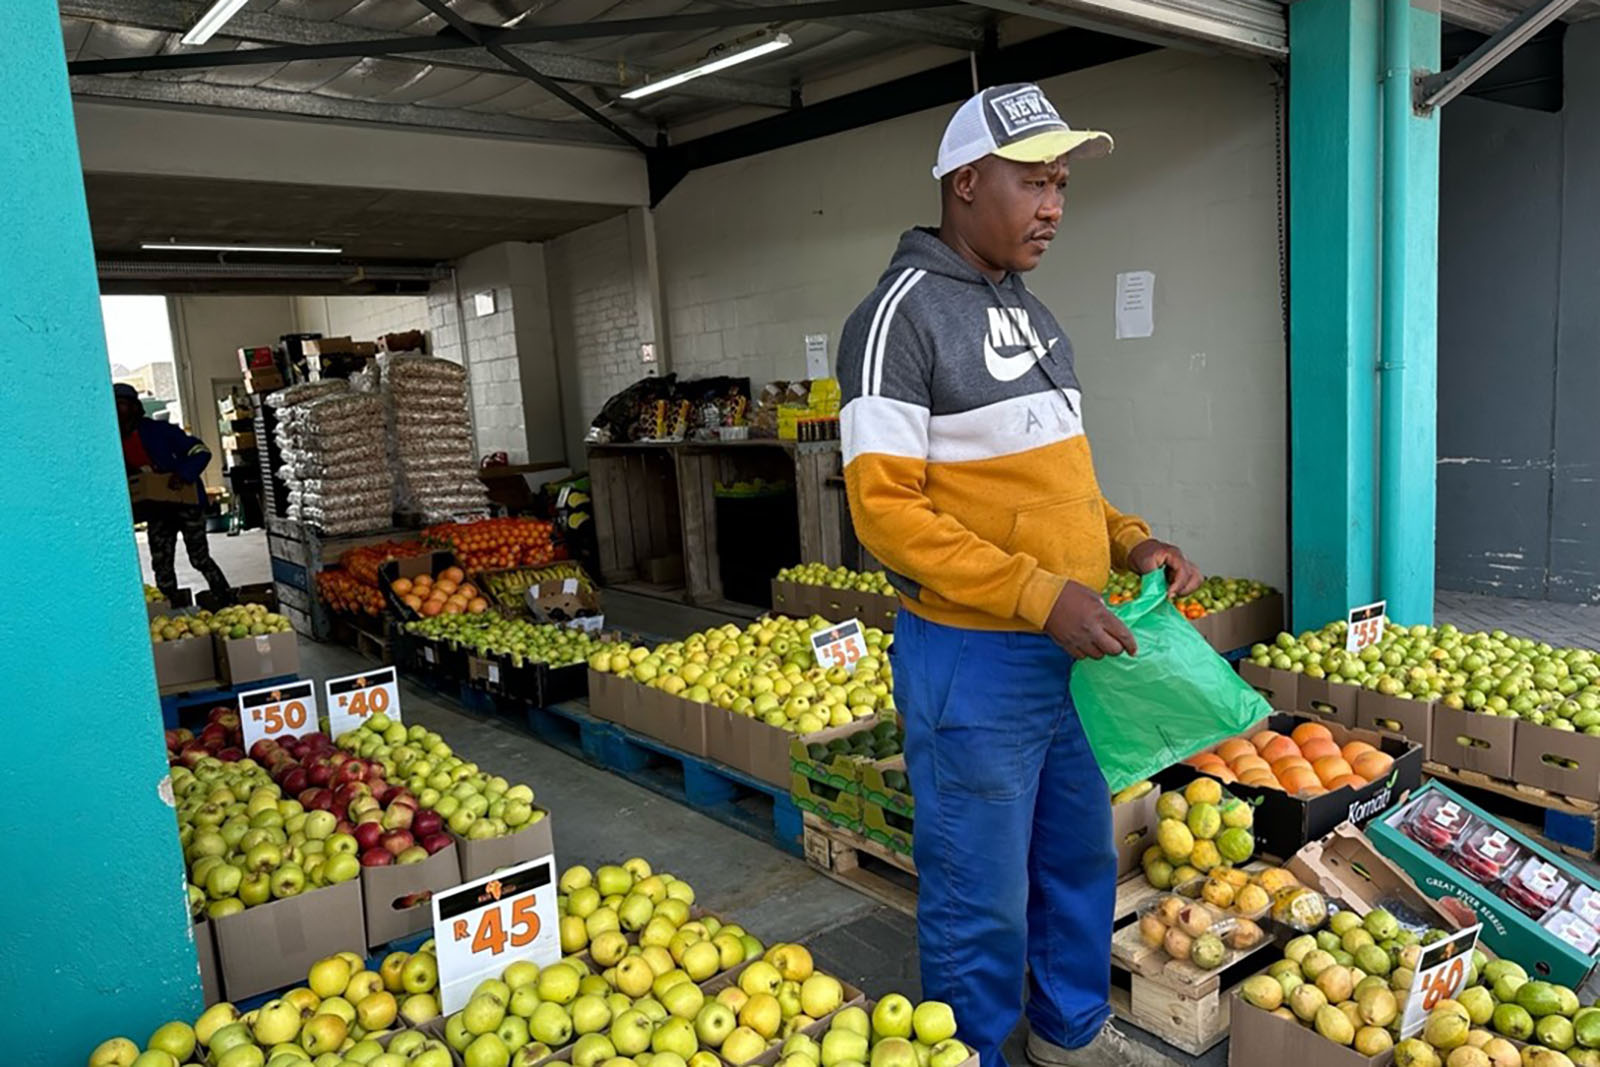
[314,106]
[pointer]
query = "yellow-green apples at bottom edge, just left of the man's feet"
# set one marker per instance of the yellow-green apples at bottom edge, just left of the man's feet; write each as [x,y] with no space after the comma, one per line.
[897,1034]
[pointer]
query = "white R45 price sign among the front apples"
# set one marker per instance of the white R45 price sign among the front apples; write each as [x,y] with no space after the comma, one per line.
[494,922]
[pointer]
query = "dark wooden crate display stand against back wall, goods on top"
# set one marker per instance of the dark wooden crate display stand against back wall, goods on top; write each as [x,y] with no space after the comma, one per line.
[657,516]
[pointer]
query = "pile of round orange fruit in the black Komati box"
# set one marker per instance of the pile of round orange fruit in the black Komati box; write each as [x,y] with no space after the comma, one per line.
[1305,764]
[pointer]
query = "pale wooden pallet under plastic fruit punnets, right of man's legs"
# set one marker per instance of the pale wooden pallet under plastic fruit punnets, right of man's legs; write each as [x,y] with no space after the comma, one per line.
[1172,999]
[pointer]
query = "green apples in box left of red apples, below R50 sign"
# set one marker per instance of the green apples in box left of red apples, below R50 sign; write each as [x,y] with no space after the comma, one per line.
[246,844]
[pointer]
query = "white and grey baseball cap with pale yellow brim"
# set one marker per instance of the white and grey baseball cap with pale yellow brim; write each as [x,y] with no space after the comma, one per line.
[1015,122]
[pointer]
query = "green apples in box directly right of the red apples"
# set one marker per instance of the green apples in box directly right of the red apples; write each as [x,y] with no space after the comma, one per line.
[471,802]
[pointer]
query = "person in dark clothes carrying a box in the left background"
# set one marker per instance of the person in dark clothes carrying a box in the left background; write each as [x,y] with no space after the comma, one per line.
[166,449]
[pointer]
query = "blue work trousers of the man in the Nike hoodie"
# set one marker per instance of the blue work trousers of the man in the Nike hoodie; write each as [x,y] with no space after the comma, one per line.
[1014,841]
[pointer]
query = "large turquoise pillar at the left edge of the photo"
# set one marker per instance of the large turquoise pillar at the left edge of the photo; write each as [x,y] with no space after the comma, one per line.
[95,922]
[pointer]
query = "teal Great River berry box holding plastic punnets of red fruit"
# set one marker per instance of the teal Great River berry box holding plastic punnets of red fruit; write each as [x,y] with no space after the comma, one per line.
[1506,930]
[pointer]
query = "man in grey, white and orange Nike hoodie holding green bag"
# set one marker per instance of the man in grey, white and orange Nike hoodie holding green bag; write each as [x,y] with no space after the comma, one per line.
[970,479]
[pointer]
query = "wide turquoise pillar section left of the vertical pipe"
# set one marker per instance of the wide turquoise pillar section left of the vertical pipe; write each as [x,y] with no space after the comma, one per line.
[1334,302]
